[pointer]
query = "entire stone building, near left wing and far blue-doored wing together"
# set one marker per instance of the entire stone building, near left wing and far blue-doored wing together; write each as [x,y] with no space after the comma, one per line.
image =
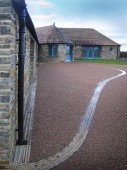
[19,48]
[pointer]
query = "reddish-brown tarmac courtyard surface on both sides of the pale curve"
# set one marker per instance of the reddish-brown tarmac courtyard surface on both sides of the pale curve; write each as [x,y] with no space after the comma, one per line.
[63,93]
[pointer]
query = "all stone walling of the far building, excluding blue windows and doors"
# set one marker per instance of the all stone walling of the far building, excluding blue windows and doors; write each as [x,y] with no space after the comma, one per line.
[106,52]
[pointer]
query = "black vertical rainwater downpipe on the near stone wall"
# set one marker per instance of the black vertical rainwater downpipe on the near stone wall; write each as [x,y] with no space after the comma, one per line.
[21,58]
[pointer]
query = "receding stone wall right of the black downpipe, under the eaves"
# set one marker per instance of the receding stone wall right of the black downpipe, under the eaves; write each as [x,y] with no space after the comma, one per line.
[30,64]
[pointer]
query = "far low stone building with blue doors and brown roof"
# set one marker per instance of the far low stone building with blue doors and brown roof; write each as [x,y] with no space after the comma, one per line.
[65,44]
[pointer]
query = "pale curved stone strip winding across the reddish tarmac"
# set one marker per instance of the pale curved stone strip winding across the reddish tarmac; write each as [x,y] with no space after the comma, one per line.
[77,141]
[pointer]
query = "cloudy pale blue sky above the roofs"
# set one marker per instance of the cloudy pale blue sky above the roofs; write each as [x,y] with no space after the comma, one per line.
[106,16]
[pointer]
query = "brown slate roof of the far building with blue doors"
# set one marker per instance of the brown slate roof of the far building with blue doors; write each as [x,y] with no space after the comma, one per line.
[77,36]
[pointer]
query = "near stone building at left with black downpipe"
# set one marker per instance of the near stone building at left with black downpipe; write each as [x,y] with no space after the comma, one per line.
[18,56]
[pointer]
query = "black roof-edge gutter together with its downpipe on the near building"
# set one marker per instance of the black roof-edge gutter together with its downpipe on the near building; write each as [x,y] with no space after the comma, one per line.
[24,20]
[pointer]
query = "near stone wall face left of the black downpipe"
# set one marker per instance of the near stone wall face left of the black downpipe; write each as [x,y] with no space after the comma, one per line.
[8,79]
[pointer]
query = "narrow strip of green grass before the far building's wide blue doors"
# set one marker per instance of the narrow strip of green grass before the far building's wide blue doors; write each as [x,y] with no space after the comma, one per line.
[104,61]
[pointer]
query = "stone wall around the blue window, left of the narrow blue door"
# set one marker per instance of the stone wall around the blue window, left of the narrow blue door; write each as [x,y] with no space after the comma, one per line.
[44,53]
